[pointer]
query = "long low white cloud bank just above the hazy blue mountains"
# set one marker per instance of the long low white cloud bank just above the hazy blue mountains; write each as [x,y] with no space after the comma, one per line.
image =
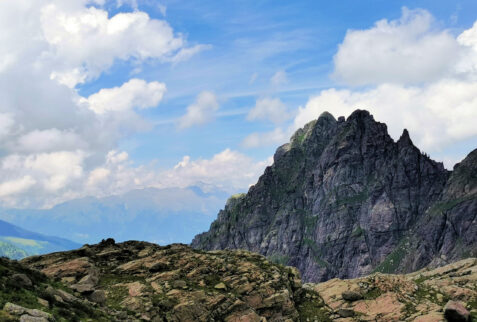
[228,170]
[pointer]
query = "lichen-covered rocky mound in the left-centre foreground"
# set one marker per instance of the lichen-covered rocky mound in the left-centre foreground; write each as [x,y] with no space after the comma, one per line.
[178,283]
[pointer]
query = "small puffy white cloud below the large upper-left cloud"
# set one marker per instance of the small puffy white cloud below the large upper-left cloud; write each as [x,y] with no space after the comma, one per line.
[136,93]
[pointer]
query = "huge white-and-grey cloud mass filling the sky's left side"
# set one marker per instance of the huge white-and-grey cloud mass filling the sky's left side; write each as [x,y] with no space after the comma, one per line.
[56,145]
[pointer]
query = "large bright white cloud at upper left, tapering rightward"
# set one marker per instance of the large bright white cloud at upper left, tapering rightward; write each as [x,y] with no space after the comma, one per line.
[84,42]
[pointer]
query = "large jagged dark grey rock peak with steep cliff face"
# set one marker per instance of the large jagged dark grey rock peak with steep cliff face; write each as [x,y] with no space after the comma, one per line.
[342,199]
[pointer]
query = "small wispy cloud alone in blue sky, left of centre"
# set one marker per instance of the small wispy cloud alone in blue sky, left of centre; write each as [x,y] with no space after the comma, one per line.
[201,111]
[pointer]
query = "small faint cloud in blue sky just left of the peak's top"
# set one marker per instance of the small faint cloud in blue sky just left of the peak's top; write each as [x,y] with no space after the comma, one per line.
[272,109]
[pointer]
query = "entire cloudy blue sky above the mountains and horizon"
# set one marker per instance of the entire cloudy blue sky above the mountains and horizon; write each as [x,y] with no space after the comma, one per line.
[106,96]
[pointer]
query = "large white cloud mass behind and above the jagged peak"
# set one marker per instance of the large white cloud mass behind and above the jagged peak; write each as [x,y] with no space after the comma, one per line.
[425,81]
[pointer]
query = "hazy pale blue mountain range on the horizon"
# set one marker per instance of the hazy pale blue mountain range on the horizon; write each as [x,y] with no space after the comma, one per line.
[157,215]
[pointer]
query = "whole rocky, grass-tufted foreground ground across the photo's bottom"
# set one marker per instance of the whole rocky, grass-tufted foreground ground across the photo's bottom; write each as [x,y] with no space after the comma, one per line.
[139,281]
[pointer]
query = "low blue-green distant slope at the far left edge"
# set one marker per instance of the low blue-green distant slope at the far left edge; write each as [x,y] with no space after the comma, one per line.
[17,243]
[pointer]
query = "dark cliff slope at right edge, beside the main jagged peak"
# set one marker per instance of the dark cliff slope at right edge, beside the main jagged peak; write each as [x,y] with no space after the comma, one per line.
[448,230]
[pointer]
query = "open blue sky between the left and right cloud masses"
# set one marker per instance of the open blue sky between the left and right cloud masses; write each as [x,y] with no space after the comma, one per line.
[250,38]
